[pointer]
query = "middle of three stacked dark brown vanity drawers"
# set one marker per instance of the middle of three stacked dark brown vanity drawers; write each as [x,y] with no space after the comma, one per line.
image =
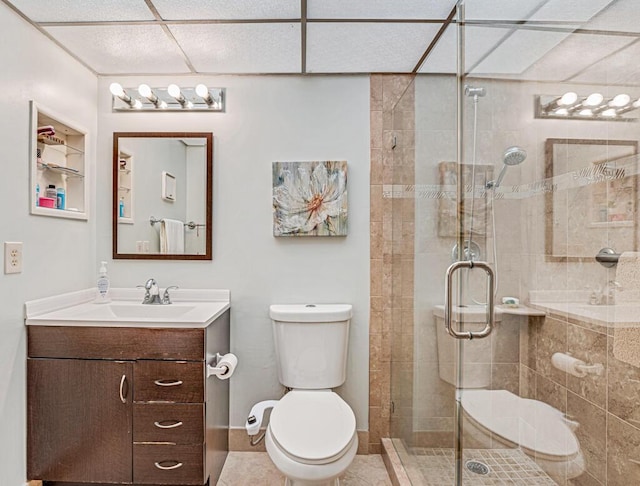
[179,423]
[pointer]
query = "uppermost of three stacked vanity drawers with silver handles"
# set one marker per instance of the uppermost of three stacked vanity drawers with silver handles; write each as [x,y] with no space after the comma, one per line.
[169,381]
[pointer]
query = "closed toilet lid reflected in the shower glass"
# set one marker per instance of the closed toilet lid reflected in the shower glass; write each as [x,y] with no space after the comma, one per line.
[535,426]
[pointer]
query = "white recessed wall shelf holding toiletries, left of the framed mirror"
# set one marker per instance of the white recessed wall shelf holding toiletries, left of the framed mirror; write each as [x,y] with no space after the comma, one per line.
[57,155]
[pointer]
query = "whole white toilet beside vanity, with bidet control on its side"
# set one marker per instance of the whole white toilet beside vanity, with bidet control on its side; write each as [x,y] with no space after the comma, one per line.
[311,437]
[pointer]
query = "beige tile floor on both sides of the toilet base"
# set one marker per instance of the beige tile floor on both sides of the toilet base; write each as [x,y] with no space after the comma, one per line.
[256,469]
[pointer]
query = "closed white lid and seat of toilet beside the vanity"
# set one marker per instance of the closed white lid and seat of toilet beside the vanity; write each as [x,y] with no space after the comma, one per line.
[313,426]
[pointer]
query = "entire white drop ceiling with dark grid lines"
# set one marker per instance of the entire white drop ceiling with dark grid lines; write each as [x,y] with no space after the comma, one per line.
[529,39]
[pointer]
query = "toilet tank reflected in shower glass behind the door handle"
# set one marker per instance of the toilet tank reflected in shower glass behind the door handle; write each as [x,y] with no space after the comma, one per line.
[478,353]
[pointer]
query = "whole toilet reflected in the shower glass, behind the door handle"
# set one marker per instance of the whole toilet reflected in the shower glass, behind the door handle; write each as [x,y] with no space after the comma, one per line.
[498,418]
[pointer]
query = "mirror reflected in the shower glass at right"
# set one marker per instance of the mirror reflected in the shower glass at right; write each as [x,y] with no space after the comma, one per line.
[592,197]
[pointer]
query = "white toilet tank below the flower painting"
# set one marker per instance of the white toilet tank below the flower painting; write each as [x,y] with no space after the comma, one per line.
[311,344]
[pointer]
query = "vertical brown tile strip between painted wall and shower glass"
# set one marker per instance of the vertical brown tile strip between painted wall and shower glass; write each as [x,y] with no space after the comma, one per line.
[392,260]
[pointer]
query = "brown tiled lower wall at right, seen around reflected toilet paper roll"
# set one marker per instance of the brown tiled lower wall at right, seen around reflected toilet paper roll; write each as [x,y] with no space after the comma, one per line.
[605,405]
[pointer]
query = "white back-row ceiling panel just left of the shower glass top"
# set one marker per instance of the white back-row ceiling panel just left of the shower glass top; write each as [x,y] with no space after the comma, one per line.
[370,47]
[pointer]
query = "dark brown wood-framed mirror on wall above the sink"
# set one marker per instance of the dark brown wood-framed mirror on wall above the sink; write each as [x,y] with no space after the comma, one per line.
[162,195]
